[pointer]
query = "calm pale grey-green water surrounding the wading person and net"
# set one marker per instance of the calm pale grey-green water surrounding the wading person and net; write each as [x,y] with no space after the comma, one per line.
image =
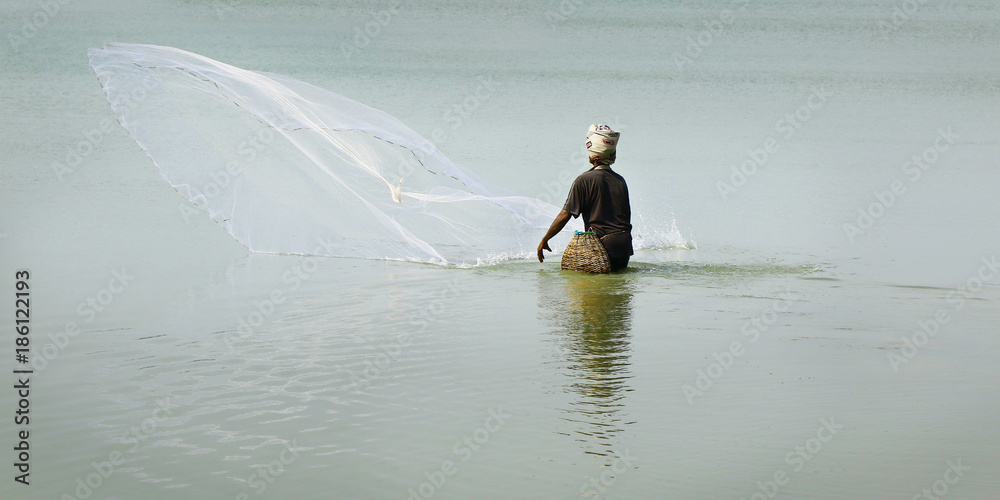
[770,343]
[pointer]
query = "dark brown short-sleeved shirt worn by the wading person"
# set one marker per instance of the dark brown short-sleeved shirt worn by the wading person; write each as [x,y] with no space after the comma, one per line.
[601,197]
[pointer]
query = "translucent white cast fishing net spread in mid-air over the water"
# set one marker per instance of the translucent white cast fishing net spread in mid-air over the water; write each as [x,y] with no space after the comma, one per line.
[287,167]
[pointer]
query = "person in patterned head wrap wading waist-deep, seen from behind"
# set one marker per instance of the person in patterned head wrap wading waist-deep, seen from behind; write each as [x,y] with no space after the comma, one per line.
[601,197]
